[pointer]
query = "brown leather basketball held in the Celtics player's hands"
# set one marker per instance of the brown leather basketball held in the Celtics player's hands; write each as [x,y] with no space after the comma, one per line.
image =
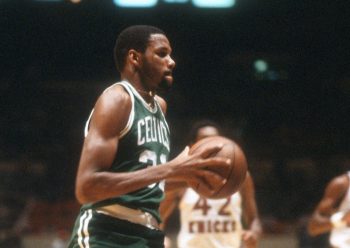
[235,173]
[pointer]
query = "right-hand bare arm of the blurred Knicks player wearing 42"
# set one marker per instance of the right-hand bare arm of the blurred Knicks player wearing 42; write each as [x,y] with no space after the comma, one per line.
[250,214]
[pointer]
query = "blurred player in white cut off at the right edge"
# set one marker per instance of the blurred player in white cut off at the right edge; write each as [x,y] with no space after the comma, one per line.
[332,214]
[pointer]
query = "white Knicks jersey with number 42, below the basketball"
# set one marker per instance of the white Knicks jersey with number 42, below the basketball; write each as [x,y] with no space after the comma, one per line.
[208,223]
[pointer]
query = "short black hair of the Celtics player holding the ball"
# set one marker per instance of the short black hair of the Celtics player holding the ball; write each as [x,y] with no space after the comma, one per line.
[134,37]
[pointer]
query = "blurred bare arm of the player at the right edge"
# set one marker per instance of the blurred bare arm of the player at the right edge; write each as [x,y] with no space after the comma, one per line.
[320,221]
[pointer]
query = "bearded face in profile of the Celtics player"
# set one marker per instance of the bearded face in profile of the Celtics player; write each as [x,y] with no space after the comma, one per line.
[157,67]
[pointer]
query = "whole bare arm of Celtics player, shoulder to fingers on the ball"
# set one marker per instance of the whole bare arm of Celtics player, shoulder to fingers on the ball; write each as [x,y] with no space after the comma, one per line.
[95,183]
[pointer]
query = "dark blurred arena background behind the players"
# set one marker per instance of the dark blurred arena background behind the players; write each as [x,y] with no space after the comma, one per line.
[292,121]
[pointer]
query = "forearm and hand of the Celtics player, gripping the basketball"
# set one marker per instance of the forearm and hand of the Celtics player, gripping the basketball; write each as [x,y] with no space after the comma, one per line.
[95,182]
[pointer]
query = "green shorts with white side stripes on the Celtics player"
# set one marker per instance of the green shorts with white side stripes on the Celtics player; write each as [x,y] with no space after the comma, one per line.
[97,230]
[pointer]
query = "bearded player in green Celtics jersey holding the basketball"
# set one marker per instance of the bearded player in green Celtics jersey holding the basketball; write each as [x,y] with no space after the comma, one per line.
[127,142]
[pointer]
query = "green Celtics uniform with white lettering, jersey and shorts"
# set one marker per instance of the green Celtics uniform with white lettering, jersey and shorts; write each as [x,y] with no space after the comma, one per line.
[145,141]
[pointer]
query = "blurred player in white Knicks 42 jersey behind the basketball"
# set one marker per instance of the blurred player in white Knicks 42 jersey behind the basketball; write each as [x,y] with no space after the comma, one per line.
[209,223]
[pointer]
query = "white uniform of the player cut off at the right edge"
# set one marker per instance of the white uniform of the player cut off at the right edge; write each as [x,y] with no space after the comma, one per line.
[340,237]
